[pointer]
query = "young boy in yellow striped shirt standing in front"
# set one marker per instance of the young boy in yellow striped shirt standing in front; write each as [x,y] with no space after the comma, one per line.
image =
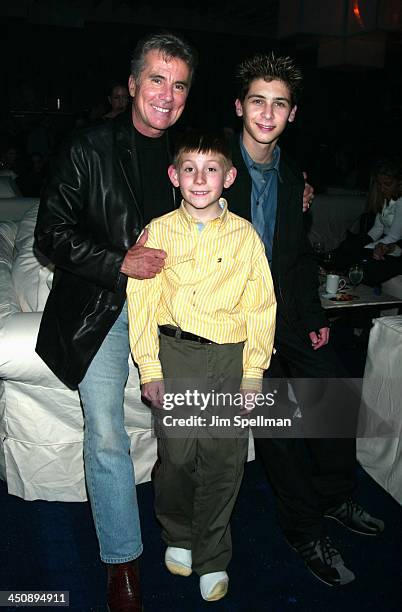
[215,307]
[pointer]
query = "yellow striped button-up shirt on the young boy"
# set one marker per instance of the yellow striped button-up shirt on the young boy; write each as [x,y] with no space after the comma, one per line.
[216,283]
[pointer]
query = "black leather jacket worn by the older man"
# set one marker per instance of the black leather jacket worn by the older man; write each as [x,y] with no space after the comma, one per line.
[88,217]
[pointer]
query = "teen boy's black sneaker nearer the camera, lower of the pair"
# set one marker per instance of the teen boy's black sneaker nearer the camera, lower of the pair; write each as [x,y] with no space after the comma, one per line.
[324,561]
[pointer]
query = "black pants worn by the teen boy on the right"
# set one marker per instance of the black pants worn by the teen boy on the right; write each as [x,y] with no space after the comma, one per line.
[308,475]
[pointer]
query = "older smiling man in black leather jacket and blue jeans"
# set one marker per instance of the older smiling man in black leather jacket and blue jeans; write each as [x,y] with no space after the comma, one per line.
[105,186]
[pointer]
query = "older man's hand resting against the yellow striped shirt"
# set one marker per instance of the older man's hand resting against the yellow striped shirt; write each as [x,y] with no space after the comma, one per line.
[142,262]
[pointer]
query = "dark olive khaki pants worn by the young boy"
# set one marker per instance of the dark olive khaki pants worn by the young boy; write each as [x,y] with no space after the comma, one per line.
[198,480]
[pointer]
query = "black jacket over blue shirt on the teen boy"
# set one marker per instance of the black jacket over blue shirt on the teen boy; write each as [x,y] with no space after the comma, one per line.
[294,270]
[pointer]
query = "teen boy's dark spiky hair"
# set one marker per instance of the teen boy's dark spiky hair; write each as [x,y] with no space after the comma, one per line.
[269,67]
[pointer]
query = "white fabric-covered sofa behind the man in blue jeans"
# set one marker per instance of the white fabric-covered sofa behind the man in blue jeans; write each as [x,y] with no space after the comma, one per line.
[41,423]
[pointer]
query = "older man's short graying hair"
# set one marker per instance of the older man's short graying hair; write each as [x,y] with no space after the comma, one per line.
[169,45]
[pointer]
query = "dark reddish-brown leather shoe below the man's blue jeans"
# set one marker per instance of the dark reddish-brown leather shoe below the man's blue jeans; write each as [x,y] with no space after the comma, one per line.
[123,587]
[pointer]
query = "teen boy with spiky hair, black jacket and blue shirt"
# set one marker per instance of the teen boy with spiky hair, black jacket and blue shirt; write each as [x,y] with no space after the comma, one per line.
[312,478]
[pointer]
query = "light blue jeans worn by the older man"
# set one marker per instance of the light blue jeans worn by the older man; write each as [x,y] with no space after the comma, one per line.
[108,467]
